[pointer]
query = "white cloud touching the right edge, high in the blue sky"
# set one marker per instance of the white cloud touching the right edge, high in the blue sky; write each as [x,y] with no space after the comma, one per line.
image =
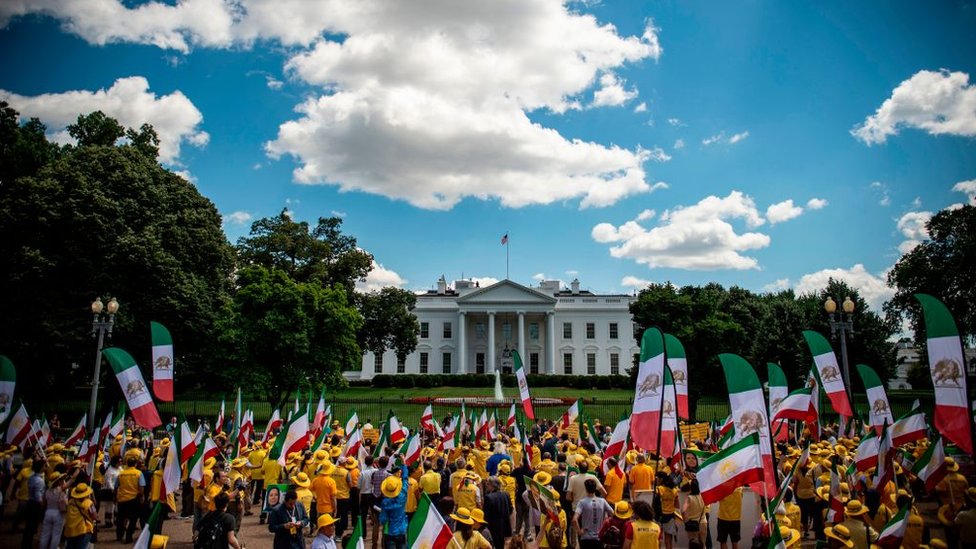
[939,102]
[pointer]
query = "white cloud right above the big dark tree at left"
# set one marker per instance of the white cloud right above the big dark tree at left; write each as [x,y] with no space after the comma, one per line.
[174,117]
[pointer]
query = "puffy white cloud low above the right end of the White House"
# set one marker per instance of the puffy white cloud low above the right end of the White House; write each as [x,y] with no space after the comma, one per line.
[697,237]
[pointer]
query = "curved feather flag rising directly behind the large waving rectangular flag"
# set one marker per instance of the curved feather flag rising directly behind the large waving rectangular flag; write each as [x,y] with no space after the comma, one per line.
[749,408]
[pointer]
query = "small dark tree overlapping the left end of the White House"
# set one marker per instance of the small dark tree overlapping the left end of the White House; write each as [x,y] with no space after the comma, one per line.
[388,322]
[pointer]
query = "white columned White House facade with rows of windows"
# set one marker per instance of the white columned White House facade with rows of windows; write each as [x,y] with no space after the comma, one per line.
[470,330]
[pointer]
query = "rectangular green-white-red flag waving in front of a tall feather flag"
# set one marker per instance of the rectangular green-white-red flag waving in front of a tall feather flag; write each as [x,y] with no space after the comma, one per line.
[738,465]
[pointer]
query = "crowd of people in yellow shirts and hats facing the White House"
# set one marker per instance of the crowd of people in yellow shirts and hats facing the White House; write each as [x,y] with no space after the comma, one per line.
[556,493]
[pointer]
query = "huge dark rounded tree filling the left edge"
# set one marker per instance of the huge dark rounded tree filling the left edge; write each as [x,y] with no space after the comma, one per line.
[100,219]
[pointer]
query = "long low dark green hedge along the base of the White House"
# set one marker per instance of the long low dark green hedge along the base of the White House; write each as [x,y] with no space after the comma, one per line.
[409,381]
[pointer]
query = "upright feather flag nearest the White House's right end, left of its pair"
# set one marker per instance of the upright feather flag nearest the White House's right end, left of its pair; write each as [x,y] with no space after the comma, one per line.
[649,392]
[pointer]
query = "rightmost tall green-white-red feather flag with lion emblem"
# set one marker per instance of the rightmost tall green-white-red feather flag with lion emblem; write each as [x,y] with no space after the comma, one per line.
[948,368]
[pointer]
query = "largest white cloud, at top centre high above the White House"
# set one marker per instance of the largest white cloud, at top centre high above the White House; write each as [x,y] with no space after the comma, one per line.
[428,103]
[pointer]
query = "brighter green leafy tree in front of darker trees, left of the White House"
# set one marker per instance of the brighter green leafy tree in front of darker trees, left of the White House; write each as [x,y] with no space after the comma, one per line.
[279,334]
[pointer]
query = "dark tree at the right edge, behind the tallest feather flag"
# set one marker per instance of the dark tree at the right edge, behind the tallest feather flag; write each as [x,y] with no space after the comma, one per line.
[941,266]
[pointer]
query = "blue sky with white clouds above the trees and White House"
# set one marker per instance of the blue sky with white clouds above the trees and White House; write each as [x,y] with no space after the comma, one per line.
[616,142]
